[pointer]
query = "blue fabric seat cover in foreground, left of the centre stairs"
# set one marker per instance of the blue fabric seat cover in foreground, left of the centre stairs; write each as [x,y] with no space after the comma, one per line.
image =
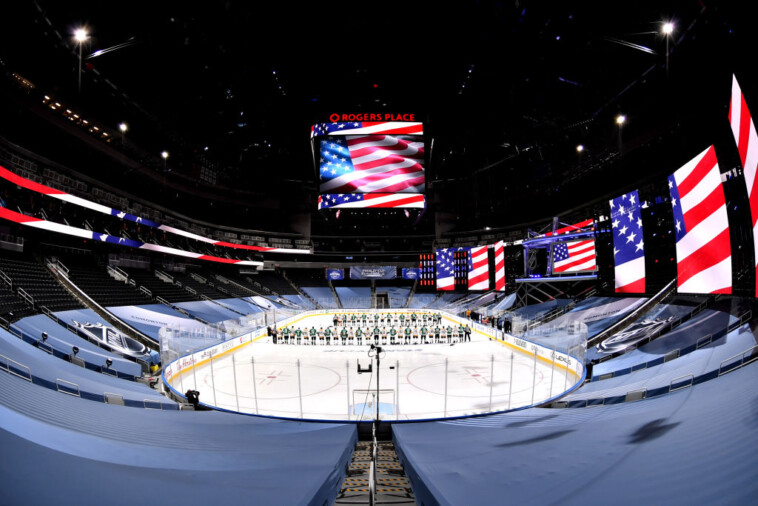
[98,453]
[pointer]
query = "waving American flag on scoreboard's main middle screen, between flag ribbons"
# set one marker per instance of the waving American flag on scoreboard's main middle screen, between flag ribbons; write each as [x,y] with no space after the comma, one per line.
[371,164]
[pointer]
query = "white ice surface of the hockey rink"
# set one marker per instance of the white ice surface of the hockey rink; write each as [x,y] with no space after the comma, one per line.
[413,385]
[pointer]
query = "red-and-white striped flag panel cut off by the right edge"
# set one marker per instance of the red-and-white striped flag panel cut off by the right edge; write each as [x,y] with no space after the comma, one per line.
[746,138]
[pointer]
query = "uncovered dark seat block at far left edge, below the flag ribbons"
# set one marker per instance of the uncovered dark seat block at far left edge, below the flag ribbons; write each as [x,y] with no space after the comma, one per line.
[37,281]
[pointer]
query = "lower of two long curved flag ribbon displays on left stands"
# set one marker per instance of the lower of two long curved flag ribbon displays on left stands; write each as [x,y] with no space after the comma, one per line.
[50,226]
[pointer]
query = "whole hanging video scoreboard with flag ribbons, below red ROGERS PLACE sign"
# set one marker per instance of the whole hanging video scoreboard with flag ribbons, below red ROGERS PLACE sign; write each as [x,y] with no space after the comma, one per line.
[373,164]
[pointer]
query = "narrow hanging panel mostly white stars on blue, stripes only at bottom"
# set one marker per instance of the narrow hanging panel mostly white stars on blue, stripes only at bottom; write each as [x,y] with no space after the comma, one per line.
[628,247]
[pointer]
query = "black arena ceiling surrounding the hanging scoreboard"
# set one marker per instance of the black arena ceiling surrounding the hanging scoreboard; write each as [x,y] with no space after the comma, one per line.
[507,91]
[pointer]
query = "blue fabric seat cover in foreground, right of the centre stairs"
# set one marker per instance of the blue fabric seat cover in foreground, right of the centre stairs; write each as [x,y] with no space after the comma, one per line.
[689,447]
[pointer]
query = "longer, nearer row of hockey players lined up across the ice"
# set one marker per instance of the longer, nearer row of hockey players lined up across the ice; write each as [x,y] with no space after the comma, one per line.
[350,335]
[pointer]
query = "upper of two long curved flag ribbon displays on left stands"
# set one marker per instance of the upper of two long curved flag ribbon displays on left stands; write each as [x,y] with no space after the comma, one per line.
[72,199]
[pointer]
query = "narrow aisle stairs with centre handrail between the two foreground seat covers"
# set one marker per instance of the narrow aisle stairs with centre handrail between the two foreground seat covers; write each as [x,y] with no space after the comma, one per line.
[391,485]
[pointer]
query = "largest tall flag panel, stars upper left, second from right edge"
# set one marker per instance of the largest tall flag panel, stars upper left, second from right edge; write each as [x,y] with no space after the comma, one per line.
[703,248]
